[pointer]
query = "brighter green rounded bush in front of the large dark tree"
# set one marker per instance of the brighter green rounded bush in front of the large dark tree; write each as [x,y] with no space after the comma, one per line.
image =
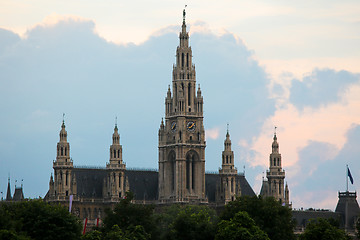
[241,226]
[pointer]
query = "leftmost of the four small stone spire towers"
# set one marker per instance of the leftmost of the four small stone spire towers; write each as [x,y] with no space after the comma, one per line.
[61,186]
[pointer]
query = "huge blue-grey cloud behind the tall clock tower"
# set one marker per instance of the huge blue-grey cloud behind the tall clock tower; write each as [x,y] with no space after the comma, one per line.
[68,68]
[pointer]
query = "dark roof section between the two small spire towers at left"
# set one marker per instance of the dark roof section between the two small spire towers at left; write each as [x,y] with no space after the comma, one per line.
[89,182]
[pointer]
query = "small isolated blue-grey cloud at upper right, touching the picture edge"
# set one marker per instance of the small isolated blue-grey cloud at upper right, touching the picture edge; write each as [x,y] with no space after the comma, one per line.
[321,87]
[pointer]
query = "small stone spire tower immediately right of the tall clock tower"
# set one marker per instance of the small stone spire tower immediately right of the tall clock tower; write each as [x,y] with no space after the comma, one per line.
[227,189]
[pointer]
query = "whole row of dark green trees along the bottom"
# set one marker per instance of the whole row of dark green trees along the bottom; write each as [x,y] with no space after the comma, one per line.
[245,218]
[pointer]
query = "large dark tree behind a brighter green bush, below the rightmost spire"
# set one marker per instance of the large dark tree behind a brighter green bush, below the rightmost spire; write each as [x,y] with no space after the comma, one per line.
[275,220]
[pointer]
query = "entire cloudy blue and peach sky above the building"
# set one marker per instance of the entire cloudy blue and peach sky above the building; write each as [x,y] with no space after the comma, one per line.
[290,64]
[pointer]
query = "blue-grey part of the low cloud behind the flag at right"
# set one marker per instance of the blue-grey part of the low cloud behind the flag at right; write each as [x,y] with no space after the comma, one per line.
[320,170]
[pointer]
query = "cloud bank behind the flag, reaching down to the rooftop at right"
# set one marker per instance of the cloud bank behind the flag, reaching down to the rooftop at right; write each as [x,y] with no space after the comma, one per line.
[321,171]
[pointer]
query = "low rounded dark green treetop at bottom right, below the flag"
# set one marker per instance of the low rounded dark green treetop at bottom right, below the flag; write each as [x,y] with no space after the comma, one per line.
[322,229]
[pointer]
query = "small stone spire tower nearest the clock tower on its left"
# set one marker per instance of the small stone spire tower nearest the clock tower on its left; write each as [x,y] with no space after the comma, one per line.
[115,186]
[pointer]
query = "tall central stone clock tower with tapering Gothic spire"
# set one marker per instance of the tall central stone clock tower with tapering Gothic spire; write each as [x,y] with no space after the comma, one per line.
[182,135]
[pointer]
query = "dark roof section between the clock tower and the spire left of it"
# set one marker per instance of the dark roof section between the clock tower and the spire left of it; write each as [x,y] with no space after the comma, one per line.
[143,183]
